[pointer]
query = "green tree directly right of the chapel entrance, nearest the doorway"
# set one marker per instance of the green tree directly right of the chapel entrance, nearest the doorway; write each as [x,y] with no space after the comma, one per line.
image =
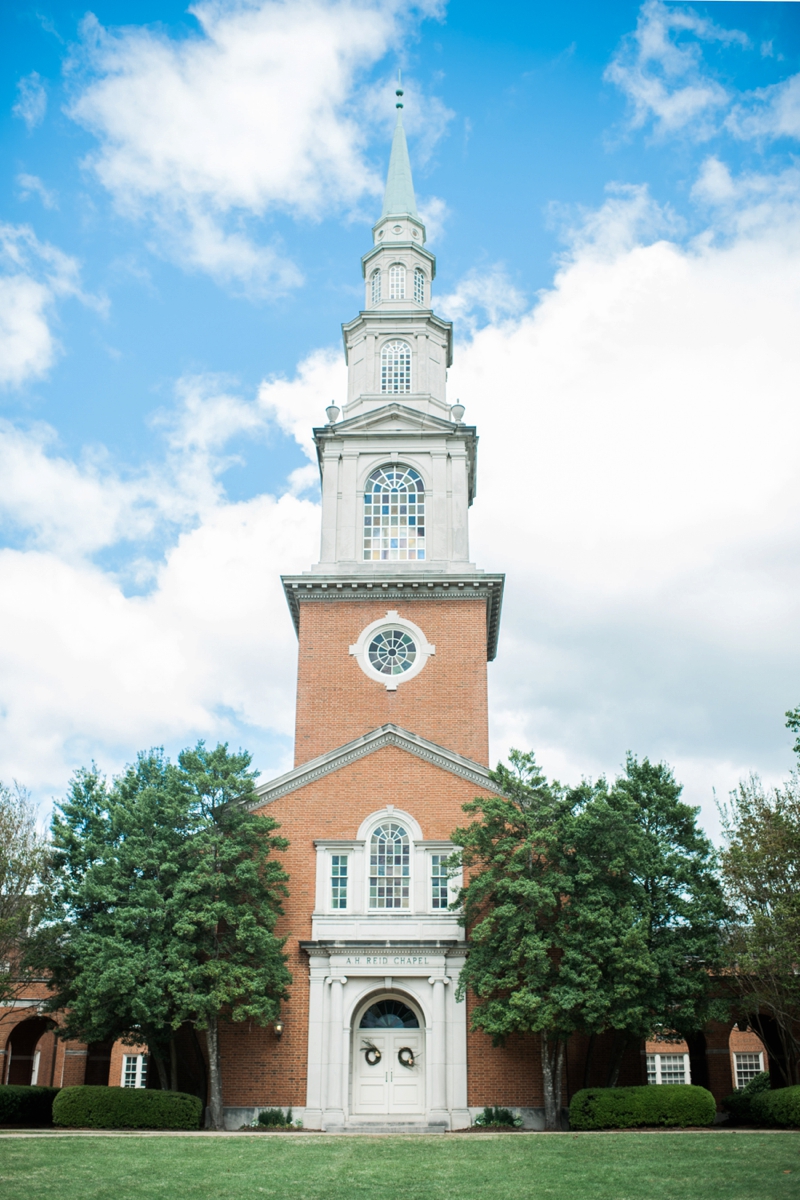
[556,946]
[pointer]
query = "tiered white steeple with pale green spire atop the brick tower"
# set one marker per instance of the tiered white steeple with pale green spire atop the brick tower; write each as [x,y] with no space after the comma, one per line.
[396,428]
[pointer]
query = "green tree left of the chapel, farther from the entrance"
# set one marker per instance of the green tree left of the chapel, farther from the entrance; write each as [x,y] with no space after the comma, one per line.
[118,853]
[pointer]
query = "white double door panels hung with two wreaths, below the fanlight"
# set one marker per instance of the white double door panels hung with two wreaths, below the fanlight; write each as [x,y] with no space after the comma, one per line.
[394,1084]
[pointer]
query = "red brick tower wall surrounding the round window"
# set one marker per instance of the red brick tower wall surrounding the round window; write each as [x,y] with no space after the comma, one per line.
[447,703]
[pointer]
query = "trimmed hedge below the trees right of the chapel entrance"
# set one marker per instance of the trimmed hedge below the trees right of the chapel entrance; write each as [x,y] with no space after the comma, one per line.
[628,1108]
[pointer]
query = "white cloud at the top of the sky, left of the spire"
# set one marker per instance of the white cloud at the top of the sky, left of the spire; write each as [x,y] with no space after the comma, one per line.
[258,113]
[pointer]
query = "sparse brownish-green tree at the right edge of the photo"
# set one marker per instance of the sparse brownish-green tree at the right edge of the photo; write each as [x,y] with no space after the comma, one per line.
[761,869]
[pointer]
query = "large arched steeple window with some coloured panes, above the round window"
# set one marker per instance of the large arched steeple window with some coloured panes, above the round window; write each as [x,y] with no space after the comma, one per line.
[394,515]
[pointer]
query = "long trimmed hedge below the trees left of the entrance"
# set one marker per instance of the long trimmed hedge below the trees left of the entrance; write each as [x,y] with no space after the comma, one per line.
[125,1108]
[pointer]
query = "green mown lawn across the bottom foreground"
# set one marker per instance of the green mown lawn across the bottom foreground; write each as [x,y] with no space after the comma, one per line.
[579,1167]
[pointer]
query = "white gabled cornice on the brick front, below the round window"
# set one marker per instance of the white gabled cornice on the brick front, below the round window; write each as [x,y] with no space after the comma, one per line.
[386,736]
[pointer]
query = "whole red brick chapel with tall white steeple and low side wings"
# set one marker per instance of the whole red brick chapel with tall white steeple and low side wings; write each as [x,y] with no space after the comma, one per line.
[395,628]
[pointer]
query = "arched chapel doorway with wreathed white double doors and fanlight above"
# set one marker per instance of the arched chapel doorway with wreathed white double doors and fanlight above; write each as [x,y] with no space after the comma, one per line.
[388,1058]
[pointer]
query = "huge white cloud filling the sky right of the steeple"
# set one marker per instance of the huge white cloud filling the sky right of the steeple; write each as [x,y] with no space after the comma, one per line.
[639,483]
